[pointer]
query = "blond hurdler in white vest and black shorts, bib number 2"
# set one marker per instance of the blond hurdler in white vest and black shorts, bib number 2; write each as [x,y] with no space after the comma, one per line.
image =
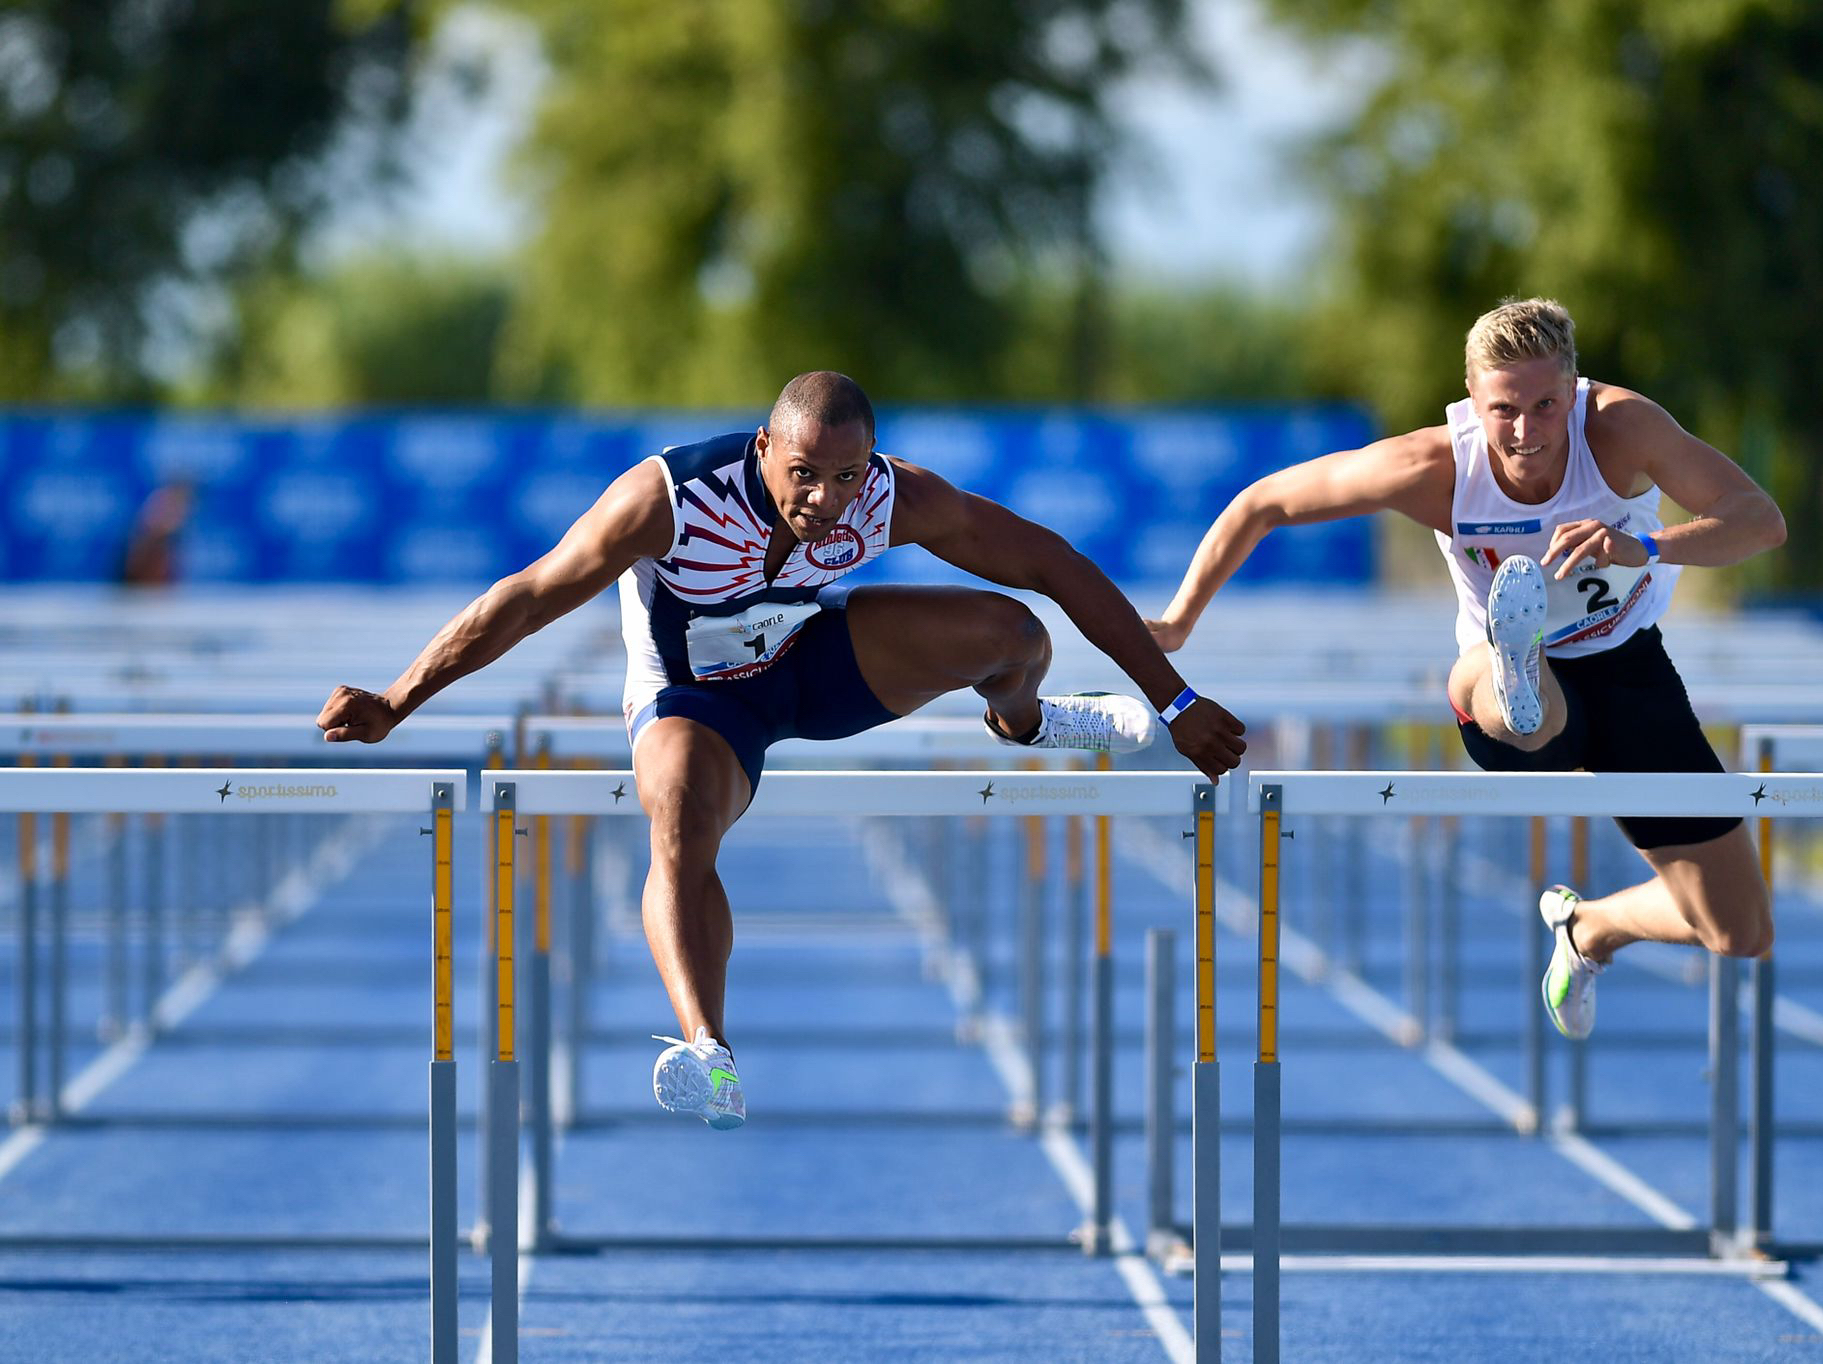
[1543,491]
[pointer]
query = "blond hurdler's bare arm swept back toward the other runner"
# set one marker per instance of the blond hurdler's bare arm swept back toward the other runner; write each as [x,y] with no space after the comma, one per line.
[1412,475]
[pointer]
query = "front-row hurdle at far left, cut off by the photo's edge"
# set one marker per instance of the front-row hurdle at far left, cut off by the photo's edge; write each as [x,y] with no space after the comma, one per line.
[314,792]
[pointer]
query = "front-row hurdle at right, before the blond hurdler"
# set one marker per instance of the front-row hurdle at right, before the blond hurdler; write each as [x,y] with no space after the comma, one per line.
[1281,796]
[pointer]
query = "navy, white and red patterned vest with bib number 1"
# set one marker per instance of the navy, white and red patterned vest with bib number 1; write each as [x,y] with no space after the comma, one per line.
[705,610]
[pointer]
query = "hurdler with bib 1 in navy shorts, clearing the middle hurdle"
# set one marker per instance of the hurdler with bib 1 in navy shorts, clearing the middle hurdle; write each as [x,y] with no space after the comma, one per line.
[728,557]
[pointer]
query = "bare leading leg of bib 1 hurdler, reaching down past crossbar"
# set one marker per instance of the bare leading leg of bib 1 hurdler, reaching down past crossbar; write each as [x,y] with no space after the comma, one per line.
[694,790]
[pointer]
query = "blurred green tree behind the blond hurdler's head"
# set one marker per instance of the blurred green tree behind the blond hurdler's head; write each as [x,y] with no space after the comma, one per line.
[1658,165]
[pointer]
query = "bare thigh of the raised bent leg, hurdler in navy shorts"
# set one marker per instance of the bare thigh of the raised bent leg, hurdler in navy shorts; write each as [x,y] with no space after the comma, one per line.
[916,645]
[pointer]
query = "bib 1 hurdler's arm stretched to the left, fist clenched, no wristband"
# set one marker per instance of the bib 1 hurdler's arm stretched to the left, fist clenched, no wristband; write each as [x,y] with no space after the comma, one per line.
[632,521]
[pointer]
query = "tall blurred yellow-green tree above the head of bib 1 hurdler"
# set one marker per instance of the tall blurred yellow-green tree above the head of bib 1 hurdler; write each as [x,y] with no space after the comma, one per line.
[743,189]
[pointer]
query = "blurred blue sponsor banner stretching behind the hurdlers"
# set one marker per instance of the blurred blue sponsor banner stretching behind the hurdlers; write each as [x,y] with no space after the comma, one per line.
[469,497]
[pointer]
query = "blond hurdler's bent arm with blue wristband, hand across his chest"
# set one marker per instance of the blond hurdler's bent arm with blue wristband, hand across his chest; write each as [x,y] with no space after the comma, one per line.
[1731,515]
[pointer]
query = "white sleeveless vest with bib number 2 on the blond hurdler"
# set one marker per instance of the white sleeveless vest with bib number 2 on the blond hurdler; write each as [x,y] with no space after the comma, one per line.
[1592,610]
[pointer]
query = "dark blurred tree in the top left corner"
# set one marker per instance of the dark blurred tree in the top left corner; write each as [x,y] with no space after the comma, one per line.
[154,147]
